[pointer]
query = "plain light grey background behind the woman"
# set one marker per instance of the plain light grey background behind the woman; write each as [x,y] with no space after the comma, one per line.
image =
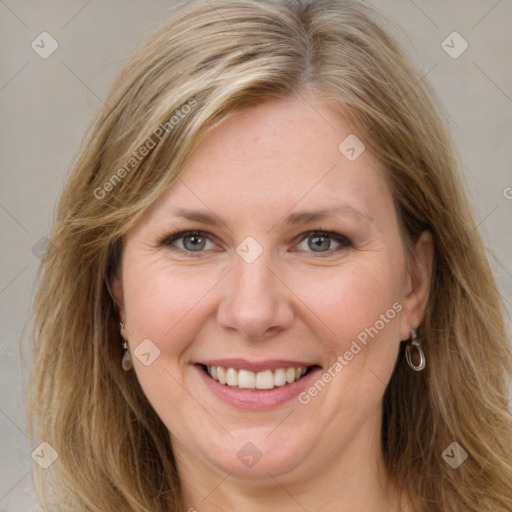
[46,105]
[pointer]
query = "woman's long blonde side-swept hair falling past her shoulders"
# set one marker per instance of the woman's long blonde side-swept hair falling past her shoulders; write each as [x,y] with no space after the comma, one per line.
[209,60]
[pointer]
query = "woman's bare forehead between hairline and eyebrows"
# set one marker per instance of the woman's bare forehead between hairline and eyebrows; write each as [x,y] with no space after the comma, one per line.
[276,157]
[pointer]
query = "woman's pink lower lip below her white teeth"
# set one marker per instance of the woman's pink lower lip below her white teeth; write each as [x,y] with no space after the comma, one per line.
[260,400]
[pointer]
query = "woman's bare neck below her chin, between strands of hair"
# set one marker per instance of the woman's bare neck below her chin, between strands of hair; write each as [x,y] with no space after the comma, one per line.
[352,479]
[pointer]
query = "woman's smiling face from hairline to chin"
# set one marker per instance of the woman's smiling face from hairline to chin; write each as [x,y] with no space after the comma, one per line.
[295,260]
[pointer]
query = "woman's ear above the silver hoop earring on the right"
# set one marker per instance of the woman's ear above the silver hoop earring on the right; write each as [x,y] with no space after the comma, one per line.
[417,285]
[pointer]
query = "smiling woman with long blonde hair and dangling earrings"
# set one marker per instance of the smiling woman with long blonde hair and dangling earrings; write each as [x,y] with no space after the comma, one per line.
[265,288]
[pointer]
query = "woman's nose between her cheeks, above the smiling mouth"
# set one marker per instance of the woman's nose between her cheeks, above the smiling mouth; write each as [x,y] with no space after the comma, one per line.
[255,302]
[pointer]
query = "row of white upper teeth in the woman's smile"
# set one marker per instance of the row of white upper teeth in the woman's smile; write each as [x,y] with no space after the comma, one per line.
[247,379]
